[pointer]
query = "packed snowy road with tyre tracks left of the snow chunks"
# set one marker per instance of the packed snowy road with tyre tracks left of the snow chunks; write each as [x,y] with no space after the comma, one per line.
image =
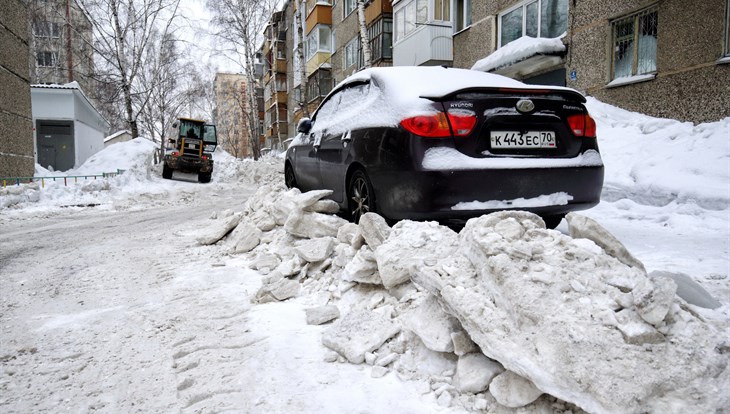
[94,315]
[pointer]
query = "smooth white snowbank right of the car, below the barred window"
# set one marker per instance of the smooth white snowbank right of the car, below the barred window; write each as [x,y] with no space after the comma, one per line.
[656,161]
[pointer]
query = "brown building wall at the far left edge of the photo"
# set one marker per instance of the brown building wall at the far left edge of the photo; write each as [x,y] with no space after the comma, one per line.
[16,125]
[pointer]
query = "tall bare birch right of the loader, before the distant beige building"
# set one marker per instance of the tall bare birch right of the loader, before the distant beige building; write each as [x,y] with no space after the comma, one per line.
[240,26]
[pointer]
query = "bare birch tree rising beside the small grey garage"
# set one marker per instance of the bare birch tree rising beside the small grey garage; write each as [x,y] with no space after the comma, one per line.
[124,32]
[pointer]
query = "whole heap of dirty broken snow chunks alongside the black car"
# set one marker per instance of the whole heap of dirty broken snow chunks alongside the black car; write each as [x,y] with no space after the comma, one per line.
[503,314]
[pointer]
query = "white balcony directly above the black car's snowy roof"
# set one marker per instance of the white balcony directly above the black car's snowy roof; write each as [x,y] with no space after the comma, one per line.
[429,45]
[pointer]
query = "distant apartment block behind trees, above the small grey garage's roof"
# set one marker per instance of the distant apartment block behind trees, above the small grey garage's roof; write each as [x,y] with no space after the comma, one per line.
[61,49]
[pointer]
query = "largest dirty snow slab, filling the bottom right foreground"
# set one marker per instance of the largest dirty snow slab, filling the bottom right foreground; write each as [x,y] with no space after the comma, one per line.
[547,308]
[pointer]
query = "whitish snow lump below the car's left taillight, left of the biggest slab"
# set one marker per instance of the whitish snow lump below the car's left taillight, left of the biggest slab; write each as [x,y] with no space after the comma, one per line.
[408,245]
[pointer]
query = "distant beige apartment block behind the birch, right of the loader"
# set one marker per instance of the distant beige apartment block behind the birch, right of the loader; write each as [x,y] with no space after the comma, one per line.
[229,116]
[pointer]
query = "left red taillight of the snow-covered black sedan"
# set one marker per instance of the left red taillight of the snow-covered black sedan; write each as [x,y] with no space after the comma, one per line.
[437,125]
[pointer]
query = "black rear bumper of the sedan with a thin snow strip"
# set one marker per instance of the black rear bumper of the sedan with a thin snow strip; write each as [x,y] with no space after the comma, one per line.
[436,195]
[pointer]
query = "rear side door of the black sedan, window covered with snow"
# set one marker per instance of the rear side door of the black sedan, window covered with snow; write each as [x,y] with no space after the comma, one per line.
[334,149]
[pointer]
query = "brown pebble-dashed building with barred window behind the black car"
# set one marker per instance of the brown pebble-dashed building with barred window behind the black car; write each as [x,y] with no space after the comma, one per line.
[668,58]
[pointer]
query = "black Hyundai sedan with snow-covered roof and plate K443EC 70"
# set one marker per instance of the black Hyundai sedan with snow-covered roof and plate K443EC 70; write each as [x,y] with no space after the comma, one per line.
[434,143]
